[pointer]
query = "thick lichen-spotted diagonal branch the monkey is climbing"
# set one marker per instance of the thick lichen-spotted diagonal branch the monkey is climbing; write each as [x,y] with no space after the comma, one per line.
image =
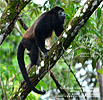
[59,47]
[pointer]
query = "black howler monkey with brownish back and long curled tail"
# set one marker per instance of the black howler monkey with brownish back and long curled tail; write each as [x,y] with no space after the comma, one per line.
[35,36]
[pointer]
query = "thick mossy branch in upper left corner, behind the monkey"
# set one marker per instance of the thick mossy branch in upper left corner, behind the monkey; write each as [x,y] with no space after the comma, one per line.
[10,16]
